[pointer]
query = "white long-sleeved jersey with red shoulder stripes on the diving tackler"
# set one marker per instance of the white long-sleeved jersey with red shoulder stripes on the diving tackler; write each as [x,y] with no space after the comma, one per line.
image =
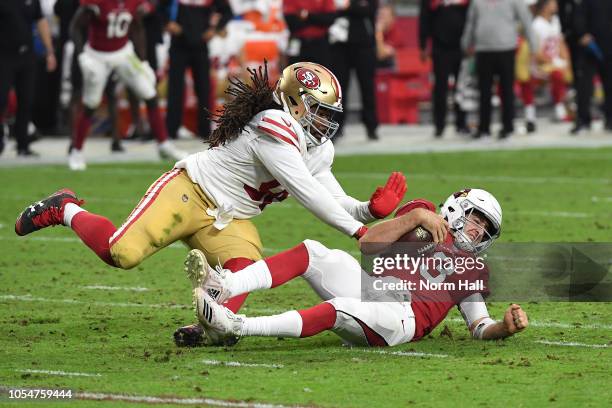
[268,161]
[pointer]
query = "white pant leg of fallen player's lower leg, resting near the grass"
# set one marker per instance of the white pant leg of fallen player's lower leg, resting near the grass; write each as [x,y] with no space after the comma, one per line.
[393,321]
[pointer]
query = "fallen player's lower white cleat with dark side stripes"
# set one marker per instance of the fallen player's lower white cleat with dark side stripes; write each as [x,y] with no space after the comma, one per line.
[220,323]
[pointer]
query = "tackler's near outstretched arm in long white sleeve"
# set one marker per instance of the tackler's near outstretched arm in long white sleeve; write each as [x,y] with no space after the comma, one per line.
[286,165]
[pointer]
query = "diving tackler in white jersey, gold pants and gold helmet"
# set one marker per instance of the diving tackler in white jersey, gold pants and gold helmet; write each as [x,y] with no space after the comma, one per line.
[271,141]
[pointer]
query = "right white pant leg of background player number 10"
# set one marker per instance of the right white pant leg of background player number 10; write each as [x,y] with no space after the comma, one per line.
[137,75]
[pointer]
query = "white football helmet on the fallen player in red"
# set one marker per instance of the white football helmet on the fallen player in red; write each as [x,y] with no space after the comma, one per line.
[460,205]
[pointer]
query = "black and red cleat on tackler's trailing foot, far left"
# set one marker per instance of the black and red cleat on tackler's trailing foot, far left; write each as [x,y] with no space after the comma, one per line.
[45,213]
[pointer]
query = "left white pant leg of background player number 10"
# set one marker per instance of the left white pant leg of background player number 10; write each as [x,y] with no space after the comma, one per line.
[95,74]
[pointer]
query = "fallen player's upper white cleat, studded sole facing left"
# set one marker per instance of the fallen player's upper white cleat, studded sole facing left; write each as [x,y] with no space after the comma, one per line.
[213,280]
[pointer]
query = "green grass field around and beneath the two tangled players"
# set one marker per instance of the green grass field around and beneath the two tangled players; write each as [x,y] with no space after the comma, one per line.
[51,319]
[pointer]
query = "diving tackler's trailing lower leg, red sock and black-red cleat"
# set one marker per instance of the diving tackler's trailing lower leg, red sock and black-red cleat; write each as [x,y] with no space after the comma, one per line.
[64,208]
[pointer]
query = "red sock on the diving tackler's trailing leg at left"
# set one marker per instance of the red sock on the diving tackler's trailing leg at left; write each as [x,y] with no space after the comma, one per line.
[95,231]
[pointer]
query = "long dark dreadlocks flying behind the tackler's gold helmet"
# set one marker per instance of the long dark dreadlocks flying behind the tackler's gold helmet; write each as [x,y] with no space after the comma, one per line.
[249,99]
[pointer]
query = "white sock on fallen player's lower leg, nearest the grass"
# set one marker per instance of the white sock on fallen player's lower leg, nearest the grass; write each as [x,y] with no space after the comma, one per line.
[288,324]
